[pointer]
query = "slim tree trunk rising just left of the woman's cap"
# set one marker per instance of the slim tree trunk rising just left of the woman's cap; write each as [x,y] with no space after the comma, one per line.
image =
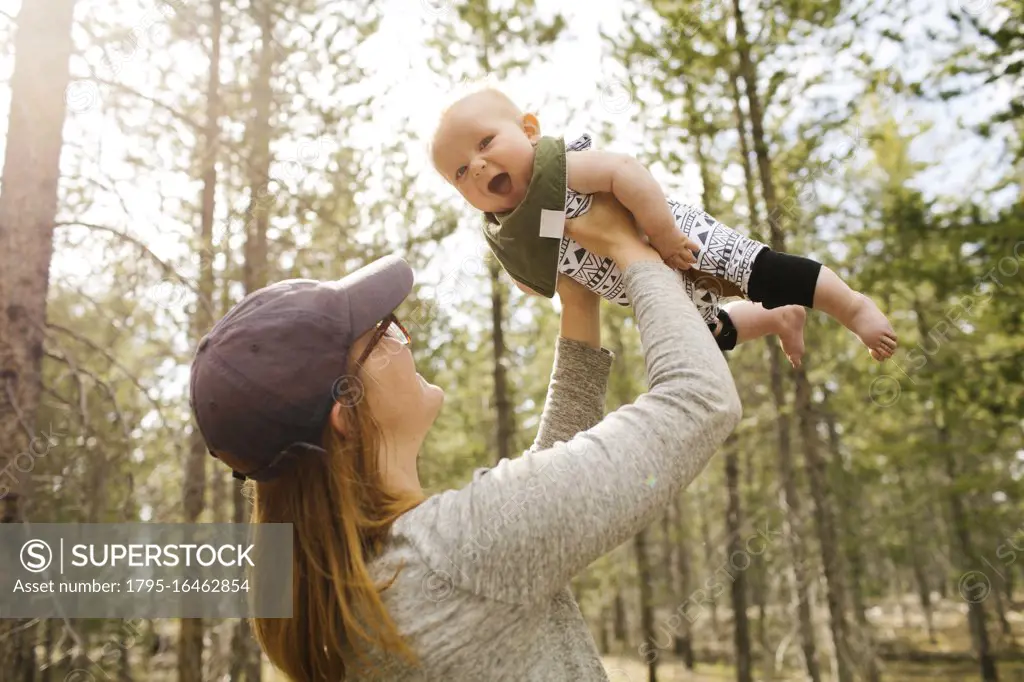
[191,651]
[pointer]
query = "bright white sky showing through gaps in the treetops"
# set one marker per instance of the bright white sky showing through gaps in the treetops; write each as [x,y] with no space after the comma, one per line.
[573,88]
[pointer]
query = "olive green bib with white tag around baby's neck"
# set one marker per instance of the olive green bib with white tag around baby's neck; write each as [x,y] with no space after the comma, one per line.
[516,238]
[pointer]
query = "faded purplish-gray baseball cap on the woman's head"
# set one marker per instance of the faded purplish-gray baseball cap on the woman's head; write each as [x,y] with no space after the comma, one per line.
[265,379]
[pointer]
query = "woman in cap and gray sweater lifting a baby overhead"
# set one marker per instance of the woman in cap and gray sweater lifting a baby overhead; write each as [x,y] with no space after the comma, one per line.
[471,584]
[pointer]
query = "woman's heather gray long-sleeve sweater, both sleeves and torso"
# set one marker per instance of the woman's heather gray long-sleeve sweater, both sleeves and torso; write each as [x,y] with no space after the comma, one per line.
[484,594]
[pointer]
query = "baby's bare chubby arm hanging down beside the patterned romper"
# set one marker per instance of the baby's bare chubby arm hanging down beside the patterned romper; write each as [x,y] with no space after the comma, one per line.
[590,173]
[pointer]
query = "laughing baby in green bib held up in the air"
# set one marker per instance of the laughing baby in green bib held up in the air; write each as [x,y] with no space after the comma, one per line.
[528,186]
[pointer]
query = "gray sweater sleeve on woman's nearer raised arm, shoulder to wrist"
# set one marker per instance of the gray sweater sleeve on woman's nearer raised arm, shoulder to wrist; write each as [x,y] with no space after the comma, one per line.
[521,533]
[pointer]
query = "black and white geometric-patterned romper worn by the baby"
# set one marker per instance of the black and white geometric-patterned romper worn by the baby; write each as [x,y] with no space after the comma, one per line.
[724,252]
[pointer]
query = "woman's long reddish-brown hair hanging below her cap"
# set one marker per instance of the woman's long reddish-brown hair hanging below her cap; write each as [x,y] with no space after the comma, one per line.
[342,516]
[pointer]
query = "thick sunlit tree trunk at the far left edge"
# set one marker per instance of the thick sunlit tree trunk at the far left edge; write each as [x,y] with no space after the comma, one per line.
[28,214]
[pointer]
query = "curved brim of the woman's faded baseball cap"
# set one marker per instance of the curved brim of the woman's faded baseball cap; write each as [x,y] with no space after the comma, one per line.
[376,290]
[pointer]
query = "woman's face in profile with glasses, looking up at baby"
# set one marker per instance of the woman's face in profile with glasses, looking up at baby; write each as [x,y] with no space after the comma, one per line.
[402,402]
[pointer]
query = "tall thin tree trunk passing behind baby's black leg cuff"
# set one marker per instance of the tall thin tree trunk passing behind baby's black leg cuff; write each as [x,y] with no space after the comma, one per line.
[791,501]
